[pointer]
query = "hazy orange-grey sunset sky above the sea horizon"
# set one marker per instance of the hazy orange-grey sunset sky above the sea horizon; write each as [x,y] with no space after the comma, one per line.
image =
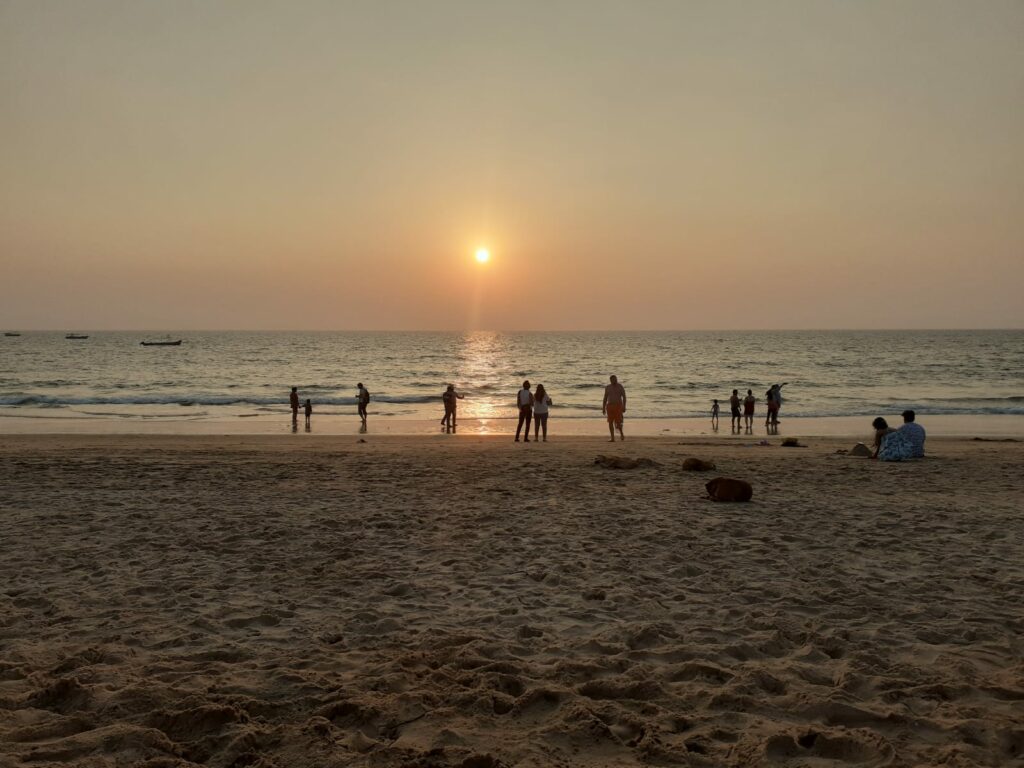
[629,165]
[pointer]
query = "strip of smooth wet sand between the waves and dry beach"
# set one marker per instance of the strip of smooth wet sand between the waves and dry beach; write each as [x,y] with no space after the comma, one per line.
[859,429]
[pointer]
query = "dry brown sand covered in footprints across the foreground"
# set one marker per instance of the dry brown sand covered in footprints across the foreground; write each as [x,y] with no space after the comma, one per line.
[465,602]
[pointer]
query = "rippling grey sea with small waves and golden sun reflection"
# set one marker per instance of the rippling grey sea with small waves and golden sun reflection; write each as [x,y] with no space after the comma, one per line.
[225,376]
